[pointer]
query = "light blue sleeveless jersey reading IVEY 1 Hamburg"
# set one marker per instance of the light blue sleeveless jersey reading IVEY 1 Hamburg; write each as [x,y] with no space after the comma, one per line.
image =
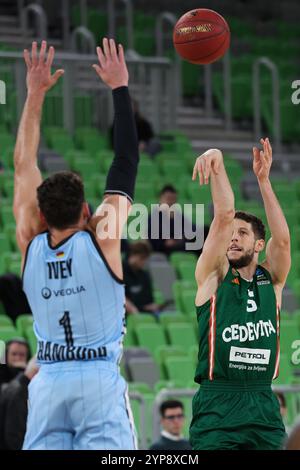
[77,302]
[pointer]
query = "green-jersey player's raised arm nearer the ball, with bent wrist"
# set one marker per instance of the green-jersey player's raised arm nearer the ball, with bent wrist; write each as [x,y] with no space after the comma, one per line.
[213,264]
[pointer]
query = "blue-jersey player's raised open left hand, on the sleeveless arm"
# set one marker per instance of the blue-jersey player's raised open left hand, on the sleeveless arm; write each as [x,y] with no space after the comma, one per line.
[39,78]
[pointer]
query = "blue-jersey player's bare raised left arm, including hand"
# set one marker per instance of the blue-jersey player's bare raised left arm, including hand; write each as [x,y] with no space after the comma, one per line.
[27,175]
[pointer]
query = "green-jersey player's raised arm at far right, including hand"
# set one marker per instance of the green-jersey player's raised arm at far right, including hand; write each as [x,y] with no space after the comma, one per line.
[278,255]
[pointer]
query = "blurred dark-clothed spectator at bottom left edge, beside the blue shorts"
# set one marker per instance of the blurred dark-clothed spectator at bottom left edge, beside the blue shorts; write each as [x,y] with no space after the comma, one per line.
[13,408]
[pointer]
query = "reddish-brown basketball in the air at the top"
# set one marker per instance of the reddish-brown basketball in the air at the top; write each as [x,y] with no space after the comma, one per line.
[201,36]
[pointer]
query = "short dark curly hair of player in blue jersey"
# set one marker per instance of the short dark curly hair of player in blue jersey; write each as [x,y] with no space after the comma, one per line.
[60,199]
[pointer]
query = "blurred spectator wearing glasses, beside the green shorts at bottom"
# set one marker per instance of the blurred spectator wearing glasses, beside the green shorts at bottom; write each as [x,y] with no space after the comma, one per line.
[172,422]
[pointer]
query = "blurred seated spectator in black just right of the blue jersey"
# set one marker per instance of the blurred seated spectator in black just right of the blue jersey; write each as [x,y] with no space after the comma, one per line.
[138,285]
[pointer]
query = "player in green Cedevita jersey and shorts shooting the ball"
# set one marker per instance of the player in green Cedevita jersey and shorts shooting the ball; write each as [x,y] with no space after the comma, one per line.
[238,303]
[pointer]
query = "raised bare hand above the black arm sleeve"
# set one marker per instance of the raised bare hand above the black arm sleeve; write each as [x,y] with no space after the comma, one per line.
[112,67]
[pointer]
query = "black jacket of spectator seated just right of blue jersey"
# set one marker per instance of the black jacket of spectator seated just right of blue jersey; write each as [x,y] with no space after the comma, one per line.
[138,286]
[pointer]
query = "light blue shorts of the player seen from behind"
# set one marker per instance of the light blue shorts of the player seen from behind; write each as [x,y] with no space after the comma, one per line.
[79,406]
